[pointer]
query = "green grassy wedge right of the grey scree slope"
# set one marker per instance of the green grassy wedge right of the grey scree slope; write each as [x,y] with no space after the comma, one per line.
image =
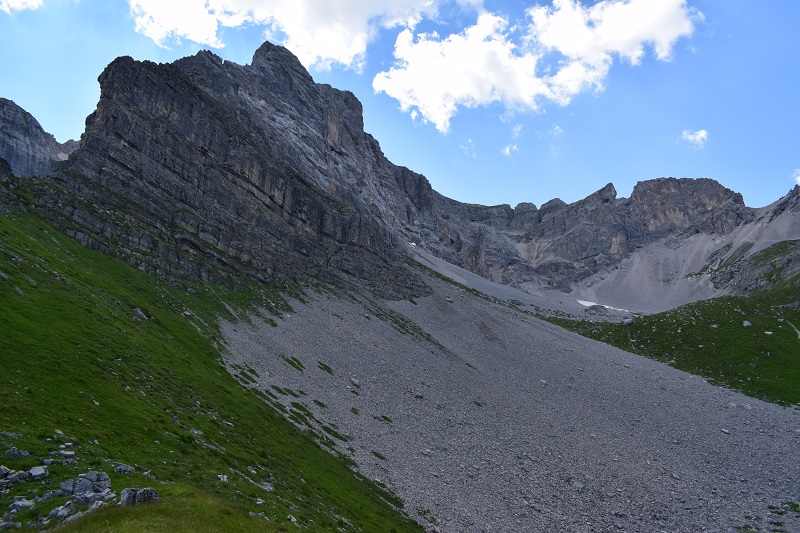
[709,338]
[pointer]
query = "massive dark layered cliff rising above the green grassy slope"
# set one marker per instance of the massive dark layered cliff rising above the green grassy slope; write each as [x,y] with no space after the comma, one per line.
[201,166]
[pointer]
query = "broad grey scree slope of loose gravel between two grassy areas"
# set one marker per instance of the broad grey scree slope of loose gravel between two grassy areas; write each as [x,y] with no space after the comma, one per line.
[482,418]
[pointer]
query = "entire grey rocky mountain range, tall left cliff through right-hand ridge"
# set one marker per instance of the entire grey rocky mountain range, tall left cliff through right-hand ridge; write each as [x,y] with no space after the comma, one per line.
[202,165]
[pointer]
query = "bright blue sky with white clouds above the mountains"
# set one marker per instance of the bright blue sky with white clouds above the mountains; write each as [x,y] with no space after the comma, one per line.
[494,101]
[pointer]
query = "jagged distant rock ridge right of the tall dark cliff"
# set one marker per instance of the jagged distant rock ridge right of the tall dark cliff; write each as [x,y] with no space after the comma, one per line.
[560,245]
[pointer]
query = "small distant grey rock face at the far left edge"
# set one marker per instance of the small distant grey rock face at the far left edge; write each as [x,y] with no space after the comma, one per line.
[25,145]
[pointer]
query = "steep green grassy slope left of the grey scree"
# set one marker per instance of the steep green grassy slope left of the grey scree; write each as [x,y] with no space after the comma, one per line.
[101,351]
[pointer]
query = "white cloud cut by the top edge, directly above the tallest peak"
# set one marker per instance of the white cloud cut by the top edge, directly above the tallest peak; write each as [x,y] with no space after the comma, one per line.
[318,32]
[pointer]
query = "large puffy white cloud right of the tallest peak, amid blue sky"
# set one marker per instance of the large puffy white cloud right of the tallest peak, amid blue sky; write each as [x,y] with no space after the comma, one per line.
[483,64]
